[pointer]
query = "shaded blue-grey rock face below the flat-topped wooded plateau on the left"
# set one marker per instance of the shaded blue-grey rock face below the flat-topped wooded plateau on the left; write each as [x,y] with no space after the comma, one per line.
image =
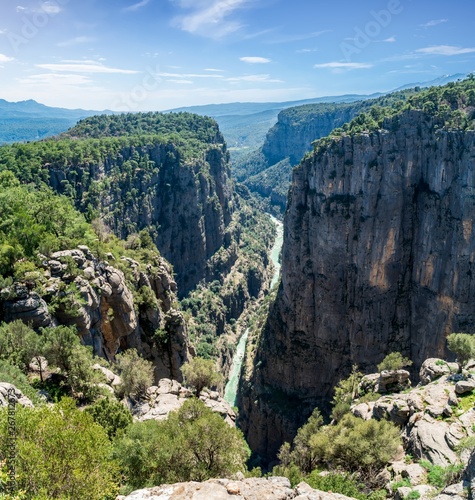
[185,204]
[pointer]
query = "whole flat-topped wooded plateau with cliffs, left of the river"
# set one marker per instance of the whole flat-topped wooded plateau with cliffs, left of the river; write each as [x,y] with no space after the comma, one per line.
[167,175]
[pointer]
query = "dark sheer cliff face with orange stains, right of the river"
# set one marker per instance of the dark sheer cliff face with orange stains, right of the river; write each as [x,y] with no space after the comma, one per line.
[378,256]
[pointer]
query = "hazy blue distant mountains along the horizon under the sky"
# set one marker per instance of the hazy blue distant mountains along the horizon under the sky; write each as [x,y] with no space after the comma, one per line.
[244,125]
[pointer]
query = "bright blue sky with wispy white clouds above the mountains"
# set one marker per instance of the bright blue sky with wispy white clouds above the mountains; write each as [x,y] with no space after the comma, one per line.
[152,55]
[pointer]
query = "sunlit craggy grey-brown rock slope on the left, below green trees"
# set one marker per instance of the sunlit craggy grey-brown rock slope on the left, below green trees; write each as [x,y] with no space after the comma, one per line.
[95,296]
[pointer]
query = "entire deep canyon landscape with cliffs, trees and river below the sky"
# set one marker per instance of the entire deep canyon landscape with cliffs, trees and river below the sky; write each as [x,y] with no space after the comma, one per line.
[147,279]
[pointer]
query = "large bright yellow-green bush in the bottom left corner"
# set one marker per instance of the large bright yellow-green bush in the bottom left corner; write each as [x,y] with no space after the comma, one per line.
[61,453]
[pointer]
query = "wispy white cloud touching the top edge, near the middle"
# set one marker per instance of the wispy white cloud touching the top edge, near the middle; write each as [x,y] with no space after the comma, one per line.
[209,17]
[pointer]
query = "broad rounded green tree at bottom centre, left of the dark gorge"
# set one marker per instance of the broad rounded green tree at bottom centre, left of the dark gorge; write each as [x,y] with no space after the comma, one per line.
[193,444]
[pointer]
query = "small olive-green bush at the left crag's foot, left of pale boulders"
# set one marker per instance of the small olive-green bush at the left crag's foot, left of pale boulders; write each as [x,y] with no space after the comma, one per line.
[136,373]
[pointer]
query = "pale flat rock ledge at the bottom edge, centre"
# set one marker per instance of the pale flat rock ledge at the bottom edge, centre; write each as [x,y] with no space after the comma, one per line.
[271,488]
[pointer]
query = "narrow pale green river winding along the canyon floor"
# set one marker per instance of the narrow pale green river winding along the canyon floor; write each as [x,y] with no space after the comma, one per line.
[230,391]
